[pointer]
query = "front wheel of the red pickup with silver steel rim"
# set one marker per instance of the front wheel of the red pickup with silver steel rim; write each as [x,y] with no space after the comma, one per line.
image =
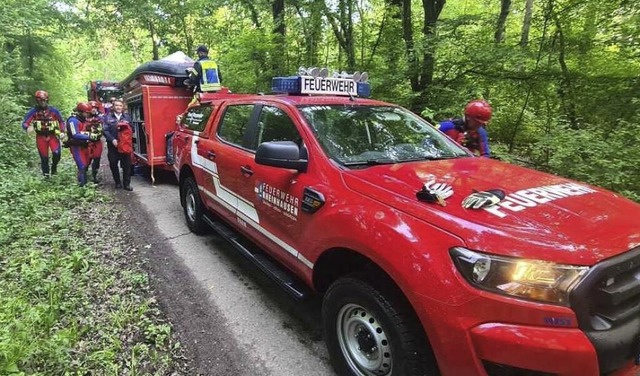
[370,332]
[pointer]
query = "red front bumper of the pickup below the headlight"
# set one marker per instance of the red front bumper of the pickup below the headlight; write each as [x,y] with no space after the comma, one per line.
[500,336]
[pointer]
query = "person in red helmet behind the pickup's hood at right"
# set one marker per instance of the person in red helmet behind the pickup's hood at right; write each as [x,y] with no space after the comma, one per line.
[470,131]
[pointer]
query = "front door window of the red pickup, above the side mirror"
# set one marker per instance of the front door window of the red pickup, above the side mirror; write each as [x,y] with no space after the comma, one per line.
[275,125]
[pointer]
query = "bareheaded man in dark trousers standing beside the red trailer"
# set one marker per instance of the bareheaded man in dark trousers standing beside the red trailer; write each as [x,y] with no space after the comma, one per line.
[119,137]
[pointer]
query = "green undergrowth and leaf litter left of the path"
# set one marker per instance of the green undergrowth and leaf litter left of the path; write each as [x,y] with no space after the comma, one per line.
[74,296]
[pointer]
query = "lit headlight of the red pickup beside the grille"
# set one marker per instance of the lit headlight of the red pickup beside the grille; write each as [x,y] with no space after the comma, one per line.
[527,279]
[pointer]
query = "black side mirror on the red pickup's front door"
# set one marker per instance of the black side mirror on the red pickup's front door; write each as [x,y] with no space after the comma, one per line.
[283,154]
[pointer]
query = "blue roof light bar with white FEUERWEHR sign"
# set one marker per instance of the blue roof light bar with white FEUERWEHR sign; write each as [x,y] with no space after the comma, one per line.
[320,86]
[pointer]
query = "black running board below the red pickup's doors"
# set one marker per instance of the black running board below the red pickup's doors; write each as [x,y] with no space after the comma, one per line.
[289,282]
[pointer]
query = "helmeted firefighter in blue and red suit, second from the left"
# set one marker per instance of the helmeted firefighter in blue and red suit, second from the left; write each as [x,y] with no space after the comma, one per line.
[80,135]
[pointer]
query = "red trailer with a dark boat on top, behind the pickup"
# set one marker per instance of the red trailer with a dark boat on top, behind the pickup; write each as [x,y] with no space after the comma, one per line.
[154,95]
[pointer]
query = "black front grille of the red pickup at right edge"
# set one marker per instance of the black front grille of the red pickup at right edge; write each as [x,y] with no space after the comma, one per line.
[607,304]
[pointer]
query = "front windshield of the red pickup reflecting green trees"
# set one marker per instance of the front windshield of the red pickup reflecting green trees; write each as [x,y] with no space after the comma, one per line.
[356,135]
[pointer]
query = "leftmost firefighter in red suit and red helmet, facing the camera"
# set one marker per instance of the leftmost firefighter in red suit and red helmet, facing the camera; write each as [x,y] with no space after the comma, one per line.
[48,124]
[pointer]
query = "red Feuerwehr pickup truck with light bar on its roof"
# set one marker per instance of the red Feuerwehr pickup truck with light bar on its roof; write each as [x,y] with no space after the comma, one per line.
[429,260]
